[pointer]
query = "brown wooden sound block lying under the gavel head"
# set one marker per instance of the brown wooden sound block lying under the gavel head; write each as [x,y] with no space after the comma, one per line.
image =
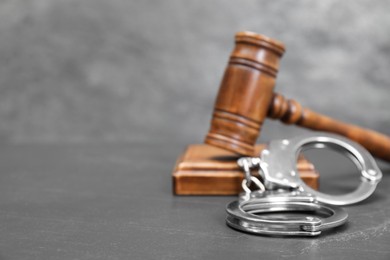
[207,170]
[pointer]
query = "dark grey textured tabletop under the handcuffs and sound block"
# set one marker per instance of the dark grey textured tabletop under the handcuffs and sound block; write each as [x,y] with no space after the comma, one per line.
[114,201]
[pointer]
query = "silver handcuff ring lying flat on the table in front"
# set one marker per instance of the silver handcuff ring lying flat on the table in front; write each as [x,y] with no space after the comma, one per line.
[257,215]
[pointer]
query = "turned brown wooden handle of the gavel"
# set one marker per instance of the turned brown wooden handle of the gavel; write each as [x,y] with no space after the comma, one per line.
[291,112]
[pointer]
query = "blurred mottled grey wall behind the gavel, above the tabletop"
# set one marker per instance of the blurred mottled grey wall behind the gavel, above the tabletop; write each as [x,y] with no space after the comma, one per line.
[94,70]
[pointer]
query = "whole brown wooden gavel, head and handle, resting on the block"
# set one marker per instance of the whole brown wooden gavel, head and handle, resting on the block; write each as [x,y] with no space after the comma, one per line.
[246,97]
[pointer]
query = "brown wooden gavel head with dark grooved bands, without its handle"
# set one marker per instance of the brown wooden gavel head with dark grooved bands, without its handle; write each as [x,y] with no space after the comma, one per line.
[245,93]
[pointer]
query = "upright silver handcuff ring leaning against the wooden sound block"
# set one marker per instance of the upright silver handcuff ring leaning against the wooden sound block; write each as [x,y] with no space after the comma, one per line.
[279,166]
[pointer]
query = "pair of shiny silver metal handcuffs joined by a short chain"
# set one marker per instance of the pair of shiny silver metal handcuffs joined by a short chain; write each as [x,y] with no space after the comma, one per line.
[268,209]
